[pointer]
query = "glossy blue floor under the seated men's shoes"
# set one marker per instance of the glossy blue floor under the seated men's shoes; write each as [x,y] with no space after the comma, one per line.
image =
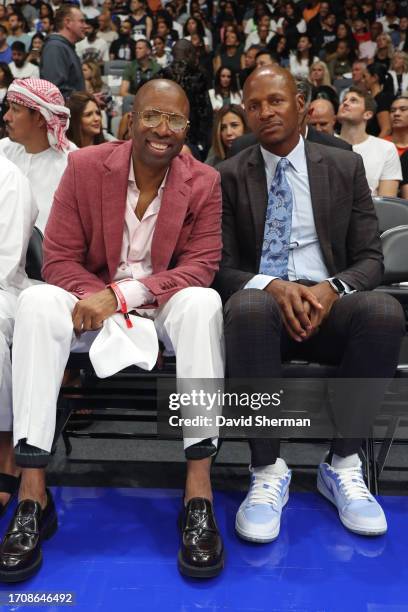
[116,549]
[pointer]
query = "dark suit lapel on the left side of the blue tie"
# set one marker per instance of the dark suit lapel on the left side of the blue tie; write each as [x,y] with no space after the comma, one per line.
[258,197]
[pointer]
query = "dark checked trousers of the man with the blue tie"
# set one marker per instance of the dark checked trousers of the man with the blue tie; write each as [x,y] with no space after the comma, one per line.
[362,336]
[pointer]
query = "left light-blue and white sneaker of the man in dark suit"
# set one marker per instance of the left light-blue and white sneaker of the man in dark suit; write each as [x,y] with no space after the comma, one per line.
[258,517]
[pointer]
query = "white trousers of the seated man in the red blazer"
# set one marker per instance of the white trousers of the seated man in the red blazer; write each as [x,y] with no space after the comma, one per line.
[191,322]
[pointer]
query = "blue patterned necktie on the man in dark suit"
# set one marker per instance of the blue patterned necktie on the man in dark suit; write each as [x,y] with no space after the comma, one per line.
[278,225]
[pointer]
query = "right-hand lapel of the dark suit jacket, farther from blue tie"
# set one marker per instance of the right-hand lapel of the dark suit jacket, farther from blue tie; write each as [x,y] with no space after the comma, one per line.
[320,196]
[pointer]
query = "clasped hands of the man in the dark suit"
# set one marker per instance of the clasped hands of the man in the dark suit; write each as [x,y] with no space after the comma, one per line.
[302,308]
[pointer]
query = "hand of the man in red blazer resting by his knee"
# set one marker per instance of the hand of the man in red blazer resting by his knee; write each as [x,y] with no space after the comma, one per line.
[90,313]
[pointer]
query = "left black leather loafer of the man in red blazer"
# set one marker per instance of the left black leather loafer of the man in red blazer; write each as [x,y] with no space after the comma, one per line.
[20,549]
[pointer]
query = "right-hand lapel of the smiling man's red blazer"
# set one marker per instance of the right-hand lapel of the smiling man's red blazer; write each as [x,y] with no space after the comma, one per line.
[171,215]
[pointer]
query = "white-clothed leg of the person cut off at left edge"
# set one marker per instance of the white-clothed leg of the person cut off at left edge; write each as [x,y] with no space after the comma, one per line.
[8,306]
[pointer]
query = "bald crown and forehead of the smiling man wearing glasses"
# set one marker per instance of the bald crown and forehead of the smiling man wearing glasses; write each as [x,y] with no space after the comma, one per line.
[156,90]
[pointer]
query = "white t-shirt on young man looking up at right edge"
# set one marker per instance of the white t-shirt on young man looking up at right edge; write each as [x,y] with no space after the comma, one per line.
[381,161]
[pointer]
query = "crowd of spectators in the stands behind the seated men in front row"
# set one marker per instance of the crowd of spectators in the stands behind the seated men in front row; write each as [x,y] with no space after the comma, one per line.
[210,47]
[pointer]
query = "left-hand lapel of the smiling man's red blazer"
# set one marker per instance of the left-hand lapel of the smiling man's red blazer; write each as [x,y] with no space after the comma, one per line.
[114,194]
